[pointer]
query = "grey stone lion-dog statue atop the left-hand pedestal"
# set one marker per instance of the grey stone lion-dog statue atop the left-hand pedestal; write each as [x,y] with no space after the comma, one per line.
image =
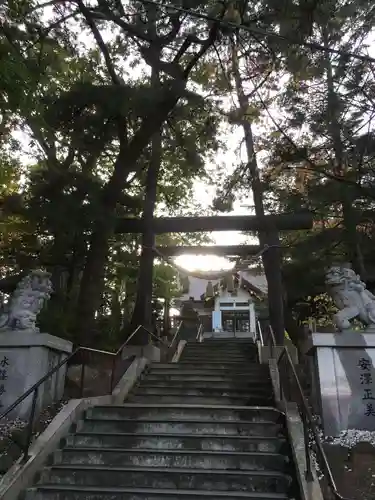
[26,302]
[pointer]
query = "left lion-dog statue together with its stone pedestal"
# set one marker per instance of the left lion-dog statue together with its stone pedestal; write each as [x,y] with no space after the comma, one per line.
[26,355]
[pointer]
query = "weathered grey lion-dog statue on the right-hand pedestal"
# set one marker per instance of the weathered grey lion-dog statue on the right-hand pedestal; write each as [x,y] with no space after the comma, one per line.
[350,296]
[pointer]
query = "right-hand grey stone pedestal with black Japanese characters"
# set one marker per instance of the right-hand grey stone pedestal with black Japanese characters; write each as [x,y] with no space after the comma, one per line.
[344,365]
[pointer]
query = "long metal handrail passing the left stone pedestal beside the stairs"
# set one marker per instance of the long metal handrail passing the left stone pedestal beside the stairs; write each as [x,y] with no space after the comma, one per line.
[35,388]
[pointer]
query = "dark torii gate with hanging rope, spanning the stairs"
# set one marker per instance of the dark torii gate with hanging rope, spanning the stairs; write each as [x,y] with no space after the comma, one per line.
[271,225]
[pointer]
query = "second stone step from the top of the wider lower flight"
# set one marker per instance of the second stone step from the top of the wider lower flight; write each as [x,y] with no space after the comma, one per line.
[196,427]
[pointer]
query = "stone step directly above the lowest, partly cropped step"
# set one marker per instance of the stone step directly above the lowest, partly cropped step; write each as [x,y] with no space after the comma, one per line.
[172,478]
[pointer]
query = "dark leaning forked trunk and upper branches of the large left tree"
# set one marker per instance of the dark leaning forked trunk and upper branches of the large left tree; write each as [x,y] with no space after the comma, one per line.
[152,33]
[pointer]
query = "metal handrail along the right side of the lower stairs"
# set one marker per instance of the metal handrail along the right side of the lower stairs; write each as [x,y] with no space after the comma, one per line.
[308,422]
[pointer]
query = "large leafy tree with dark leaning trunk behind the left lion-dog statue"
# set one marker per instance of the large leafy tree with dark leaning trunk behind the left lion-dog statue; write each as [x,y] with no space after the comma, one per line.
[91,133]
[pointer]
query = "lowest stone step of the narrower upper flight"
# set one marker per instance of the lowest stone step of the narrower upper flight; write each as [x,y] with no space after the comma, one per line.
[252,399]
